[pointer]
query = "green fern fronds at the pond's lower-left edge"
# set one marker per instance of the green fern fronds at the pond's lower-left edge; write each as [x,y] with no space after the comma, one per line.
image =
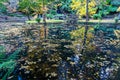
[8,64]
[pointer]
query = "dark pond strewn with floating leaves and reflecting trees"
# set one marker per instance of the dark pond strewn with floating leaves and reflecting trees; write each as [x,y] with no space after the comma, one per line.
[59,52]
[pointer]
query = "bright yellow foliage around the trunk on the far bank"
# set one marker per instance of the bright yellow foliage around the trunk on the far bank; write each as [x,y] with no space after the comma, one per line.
[80,7]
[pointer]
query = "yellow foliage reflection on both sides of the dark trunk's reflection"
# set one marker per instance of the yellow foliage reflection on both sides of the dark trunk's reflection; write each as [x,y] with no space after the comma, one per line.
[78,35]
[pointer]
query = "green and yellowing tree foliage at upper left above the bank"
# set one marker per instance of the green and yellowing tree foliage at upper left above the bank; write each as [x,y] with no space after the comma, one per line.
[30,7]
